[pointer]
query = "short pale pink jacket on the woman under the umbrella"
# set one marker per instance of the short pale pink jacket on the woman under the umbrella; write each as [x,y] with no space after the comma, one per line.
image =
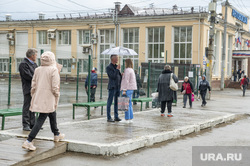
[128,80]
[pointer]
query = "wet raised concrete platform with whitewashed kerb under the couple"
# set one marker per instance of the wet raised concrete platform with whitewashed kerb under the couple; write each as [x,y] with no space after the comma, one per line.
[99,137]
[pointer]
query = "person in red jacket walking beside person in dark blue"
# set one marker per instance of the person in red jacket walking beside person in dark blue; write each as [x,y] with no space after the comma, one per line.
[187,91]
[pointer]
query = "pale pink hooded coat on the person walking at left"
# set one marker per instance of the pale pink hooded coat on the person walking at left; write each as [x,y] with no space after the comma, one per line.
[45,87]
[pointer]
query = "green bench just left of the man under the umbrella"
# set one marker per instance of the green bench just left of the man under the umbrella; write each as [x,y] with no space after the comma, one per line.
[89,105]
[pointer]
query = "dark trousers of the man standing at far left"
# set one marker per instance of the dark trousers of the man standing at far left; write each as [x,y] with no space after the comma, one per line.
[28,118]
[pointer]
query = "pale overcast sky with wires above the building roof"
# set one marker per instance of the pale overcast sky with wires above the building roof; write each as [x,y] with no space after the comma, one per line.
[29,9]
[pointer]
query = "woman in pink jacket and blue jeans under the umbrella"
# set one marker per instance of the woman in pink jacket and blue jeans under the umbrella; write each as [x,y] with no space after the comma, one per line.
[128,86]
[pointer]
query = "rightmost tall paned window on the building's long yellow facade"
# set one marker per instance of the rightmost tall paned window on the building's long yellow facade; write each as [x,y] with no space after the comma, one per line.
[183,45]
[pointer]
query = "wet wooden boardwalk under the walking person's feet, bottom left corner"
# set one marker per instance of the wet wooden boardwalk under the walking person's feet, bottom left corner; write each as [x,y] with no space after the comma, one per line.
[12,153]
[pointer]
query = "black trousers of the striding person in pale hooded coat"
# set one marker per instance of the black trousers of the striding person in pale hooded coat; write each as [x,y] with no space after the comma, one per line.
[39,123]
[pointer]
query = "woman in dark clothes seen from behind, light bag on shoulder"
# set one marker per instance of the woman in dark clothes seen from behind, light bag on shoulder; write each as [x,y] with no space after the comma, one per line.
[166,95]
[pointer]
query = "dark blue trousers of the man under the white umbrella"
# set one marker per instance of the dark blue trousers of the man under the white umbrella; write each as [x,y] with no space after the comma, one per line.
[113,93]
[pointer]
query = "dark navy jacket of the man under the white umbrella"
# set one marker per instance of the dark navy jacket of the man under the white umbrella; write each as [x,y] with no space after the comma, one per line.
[115,77]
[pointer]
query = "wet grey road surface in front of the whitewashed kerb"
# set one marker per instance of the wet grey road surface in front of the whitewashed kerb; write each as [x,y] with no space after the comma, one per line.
[171,153]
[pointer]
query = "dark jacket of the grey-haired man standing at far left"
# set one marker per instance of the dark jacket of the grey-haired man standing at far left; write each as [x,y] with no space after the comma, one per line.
[26,69]
